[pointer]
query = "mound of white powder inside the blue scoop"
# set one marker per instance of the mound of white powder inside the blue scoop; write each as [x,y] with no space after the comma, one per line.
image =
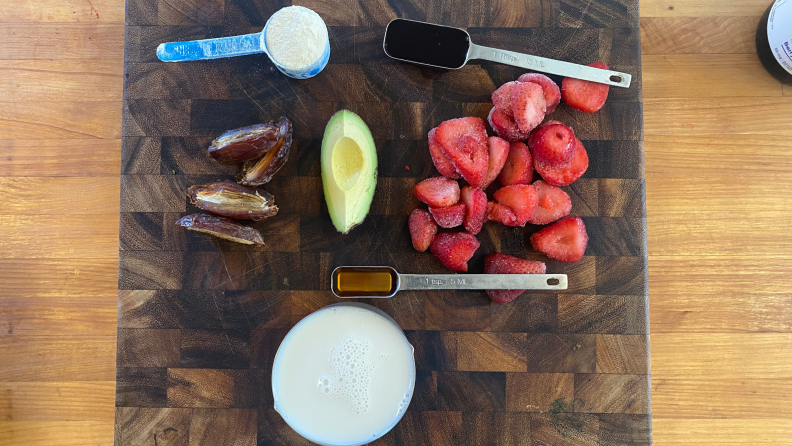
[296,37]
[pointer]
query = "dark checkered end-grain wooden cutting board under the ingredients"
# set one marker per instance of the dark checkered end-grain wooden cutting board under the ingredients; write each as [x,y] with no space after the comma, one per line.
[200,319]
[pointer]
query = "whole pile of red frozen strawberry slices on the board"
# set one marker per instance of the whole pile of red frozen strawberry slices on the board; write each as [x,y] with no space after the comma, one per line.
[461,149]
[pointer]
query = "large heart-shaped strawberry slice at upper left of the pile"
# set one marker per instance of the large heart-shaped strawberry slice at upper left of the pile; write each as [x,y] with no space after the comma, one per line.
[464,141]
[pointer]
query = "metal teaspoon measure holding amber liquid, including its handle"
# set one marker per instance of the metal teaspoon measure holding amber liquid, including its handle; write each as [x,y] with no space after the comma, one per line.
[384,281]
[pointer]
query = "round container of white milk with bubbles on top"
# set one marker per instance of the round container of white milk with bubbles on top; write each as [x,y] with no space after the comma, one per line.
[343,375]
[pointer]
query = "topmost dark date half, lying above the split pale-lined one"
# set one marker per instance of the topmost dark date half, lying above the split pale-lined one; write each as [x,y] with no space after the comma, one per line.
[249,143]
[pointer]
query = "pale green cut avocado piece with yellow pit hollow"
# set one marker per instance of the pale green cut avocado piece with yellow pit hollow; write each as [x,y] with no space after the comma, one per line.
[349,169]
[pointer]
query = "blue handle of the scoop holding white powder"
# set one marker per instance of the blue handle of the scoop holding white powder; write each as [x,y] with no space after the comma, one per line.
[210,48]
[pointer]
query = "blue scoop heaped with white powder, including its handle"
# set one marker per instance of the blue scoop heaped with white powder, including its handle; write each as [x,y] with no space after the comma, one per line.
[295,39]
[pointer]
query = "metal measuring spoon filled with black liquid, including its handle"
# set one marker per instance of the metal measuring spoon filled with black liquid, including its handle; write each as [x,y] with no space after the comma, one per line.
[441,46]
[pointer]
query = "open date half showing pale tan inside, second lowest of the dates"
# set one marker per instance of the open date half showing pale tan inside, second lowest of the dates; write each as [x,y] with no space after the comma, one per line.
[229,199]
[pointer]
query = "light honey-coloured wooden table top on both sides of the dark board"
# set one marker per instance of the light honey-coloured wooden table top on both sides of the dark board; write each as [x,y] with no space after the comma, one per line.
[718,182]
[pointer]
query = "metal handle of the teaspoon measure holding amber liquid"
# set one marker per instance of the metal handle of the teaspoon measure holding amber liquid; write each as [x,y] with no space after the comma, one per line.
[482,281]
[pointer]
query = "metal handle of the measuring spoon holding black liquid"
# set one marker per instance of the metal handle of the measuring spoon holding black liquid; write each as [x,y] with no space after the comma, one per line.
[552,66]
